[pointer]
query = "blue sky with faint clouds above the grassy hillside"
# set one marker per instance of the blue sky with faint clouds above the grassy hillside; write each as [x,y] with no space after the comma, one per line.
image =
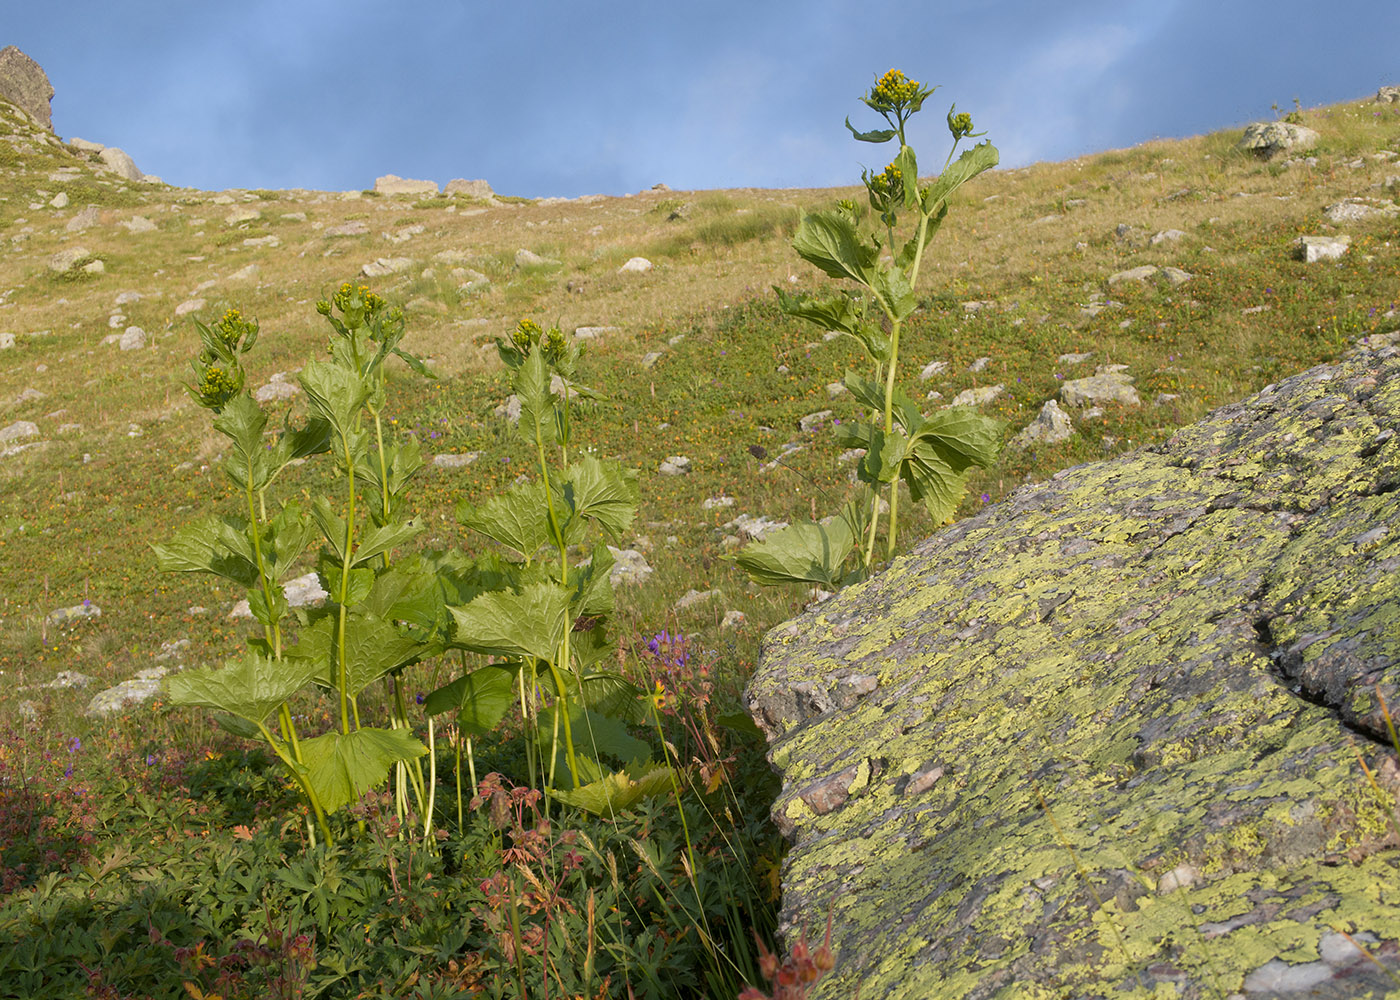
[570,97]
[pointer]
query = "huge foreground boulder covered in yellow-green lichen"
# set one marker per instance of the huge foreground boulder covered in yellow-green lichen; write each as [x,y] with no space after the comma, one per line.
[1102,739]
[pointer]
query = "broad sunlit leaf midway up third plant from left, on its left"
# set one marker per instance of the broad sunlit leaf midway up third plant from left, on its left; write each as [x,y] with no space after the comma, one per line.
[530,624]
